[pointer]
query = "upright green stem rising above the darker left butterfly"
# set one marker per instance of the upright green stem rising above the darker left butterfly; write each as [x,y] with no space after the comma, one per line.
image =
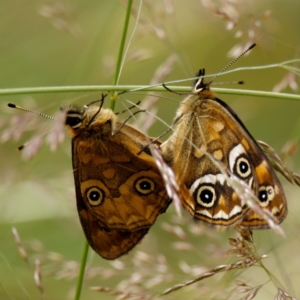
[121,50]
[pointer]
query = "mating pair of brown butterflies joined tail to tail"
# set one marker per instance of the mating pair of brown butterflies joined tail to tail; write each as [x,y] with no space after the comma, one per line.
[120,191]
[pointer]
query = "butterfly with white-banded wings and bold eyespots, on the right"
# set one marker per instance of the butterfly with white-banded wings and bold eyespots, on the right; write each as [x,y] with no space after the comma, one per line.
[207,129]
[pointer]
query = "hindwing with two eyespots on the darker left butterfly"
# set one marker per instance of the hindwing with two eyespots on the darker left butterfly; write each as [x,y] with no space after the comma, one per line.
[121,187]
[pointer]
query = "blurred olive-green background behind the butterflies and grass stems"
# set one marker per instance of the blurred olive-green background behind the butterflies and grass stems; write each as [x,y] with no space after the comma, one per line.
[66,43]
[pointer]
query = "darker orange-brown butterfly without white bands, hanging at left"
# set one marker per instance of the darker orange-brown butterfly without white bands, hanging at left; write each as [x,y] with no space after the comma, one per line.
[119,189]
